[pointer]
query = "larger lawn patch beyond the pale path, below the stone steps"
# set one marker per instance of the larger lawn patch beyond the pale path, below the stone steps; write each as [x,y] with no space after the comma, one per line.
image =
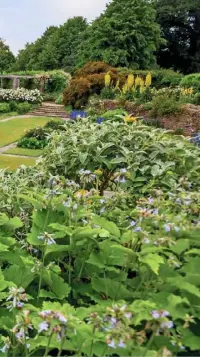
[12,130]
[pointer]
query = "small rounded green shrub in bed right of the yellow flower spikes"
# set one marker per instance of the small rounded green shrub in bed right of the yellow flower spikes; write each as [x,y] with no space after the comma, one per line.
[164,105]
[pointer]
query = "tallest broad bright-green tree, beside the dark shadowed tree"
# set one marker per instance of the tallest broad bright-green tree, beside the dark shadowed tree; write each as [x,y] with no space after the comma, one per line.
[126,34]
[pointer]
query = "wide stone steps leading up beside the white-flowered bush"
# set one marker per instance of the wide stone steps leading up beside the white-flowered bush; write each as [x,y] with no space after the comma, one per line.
[49,109]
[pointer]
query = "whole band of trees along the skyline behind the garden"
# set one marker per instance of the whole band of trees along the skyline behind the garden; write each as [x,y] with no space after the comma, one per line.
[139,34]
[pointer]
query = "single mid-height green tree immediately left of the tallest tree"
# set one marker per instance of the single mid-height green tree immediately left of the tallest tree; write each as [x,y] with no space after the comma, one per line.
[60,51]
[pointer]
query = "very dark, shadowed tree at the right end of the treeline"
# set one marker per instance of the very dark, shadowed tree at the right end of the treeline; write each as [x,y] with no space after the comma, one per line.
[180,26]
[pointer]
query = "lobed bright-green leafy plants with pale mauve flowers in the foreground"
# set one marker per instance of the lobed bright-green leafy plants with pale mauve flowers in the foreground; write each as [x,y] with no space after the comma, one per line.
[130,268]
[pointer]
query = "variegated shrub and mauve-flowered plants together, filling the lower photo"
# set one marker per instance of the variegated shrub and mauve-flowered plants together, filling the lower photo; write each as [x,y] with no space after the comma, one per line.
[100,276]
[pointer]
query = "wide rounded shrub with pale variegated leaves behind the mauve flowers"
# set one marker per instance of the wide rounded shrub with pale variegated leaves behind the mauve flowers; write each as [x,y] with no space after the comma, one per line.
[152,155]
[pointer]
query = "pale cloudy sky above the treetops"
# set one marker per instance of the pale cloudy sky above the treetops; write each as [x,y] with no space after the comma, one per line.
[23,21]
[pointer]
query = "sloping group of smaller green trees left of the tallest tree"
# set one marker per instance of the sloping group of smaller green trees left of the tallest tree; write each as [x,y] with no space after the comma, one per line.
[55,49]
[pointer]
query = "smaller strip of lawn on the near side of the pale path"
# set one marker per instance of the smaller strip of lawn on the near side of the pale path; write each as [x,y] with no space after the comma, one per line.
[12,163]
